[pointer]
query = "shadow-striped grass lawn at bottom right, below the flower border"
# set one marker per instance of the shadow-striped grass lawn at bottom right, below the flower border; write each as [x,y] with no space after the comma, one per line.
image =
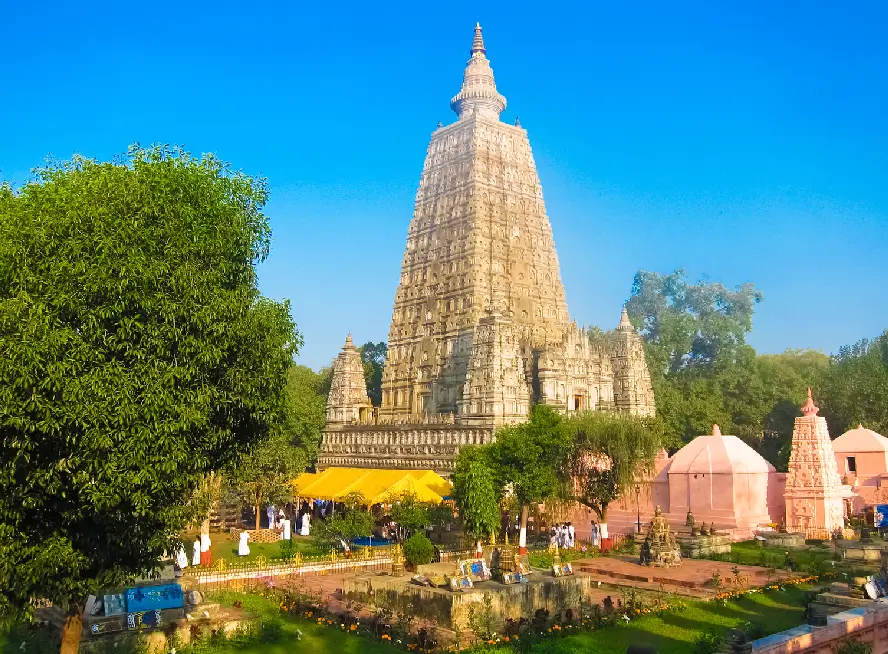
[674,632]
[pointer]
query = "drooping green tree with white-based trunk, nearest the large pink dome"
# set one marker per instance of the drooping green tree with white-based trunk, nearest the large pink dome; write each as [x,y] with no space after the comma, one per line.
[608,454]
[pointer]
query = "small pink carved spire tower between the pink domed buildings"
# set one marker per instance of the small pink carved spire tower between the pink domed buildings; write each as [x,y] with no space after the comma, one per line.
[814,491]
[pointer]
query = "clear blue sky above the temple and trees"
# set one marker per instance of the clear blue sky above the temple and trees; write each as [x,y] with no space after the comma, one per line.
[743,141]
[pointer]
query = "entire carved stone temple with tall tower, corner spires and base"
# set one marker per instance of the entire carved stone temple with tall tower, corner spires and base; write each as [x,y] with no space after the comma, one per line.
[480,329]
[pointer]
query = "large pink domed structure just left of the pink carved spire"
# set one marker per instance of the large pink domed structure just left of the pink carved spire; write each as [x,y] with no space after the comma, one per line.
[721,479]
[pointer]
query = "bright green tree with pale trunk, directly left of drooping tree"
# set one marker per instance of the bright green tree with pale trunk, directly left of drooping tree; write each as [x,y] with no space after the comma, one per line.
[528,457]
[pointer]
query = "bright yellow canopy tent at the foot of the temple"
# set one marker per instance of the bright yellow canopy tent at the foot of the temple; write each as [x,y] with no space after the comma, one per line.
[375,485]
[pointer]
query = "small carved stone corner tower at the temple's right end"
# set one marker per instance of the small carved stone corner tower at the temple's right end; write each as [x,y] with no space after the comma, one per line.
[633,392]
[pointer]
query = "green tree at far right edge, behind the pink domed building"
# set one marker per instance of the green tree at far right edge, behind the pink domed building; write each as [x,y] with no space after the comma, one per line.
[855,387]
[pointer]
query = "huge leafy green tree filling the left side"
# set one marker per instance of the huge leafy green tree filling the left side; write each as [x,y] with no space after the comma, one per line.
[137,357]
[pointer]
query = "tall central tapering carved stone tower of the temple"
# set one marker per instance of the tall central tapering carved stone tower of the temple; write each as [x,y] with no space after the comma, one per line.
[479,242]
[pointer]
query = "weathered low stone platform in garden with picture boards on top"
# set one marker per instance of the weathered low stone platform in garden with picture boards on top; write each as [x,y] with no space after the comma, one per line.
[451,609]
